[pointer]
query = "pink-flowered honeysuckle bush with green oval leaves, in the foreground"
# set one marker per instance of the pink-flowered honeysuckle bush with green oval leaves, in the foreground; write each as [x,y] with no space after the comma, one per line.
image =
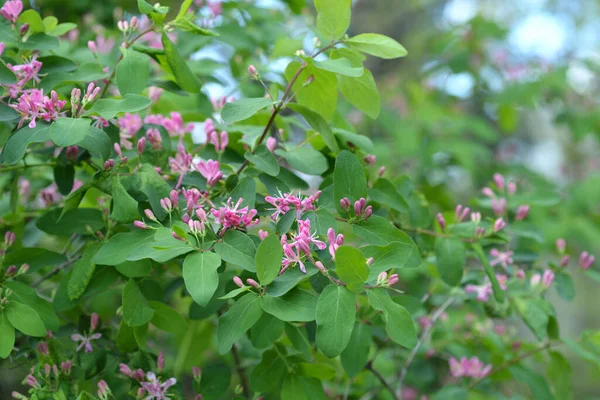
[160,244]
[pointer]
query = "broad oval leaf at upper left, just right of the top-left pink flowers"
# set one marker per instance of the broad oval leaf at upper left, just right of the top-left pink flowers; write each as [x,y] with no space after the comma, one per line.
[133,72]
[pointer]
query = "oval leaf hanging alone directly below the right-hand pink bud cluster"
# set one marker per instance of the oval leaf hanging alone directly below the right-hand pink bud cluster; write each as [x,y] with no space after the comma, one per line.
[451,256]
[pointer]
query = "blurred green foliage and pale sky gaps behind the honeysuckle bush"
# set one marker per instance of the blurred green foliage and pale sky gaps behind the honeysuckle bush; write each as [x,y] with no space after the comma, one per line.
[488,86]
